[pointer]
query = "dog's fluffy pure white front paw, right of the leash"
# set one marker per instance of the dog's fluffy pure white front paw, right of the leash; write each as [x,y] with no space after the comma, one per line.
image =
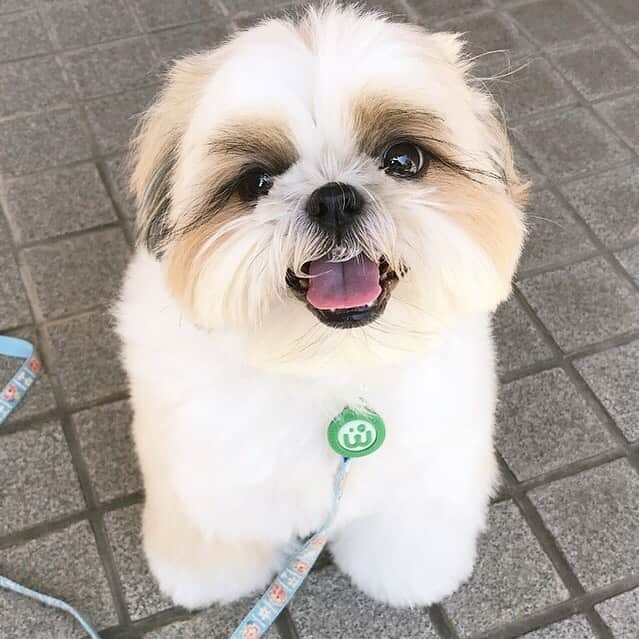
[409,556]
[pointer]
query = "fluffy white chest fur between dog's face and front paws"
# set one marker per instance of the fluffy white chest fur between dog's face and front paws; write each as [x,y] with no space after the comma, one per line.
[245,451]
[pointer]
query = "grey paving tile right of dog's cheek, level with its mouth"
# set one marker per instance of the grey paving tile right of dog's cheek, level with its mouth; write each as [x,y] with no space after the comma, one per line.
[584,303]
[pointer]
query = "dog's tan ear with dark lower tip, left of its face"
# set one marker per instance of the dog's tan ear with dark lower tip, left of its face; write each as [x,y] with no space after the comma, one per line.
[156,144]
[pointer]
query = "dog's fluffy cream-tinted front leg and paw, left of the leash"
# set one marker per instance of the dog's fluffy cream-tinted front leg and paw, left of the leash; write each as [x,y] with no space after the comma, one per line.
[195,571]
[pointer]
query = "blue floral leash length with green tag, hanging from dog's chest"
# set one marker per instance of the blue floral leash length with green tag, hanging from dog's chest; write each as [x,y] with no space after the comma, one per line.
[351,434]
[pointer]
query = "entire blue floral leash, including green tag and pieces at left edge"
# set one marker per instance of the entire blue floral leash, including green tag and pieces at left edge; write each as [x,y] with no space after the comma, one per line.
[351,434]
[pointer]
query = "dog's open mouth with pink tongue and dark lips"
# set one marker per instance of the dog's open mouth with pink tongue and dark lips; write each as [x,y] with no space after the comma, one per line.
[344,294]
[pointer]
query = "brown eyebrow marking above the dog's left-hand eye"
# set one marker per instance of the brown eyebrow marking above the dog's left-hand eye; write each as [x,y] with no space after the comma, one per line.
[264,143]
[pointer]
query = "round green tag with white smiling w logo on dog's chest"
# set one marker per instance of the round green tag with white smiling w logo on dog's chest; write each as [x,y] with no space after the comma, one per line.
[356,433]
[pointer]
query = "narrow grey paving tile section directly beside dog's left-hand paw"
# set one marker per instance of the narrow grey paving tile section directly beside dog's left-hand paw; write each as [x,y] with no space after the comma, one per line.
[141,593]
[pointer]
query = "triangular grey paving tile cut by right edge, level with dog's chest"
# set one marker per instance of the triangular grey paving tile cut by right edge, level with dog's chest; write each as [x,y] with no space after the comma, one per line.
[613,376]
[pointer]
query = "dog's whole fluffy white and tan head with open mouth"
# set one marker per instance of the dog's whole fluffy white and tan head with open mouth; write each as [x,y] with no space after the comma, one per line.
[335,173]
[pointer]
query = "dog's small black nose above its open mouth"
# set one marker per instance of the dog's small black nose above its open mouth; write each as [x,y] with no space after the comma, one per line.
[334,206]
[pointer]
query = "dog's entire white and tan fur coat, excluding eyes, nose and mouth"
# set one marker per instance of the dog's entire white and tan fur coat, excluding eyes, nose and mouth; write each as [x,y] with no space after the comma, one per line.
[234,380]
